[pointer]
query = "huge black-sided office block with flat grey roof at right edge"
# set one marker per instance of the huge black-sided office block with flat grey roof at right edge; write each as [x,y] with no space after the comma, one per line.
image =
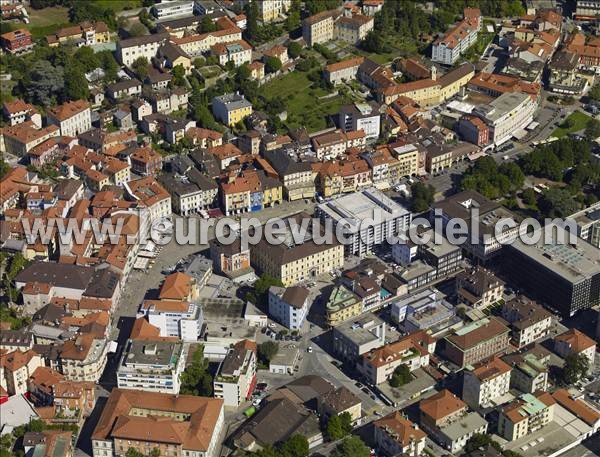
[565,276]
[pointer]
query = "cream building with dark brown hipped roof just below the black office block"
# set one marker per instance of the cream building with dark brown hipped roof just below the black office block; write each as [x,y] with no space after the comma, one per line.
[529,321]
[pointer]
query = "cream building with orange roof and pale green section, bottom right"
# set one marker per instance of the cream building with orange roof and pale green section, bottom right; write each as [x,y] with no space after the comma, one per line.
[525,415]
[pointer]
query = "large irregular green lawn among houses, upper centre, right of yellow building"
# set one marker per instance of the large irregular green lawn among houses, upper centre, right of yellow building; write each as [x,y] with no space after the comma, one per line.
[303,103]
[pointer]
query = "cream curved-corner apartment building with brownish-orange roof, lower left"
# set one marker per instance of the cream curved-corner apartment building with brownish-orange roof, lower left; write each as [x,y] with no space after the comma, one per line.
[84,358]
